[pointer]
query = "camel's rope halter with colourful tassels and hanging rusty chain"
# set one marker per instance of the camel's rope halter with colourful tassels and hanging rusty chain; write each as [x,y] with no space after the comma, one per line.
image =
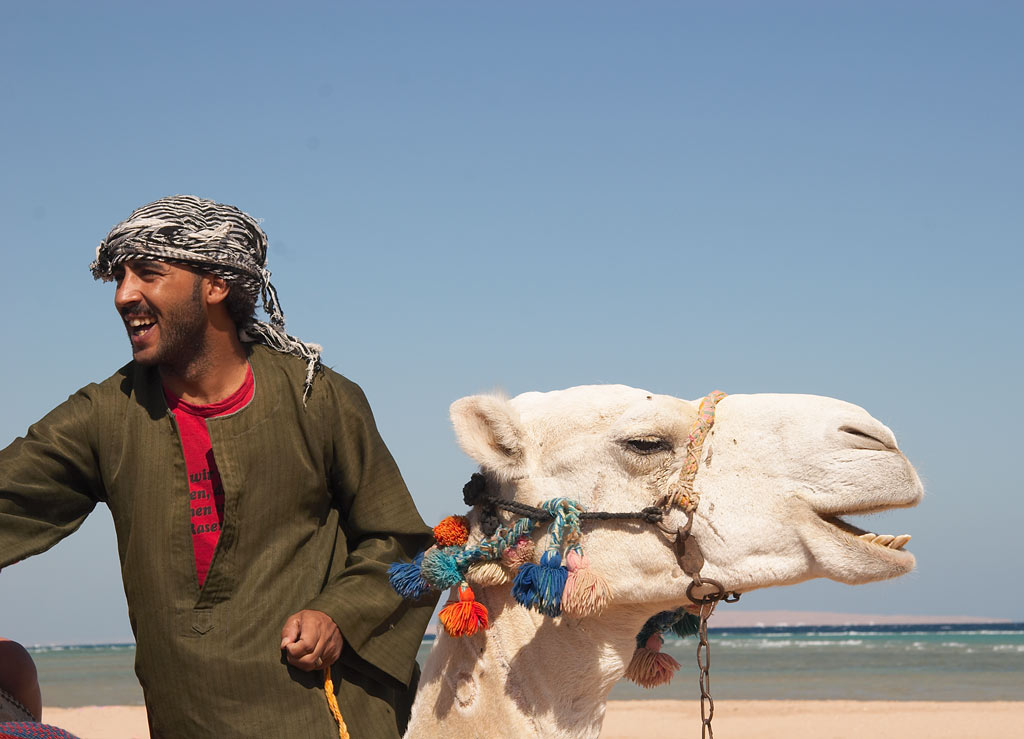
[553,589]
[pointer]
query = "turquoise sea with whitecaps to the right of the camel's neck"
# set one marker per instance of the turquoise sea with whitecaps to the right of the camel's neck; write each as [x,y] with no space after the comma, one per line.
[892,664]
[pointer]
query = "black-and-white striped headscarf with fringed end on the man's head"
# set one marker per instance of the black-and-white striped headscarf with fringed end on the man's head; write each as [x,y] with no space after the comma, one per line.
[211,238]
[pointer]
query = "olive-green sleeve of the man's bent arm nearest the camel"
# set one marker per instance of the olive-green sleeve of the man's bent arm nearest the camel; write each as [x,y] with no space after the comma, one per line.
[381,527]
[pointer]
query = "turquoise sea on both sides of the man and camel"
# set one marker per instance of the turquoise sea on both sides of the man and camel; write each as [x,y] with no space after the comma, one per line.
[948,663]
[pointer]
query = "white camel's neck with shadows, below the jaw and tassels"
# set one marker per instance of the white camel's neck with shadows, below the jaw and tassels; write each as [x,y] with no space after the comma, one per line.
[527,676]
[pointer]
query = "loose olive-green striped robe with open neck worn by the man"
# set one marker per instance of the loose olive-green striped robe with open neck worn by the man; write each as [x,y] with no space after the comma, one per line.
[315,511]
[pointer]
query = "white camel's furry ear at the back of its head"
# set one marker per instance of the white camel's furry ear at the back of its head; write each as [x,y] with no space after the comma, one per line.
[489,430]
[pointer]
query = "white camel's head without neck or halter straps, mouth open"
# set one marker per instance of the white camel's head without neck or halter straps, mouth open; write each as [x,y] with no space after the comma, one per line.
[777,474]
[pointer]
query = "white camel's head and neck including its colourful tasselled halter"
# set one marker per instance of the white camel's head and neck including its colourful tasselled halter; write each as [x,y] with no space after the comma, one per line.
[764,487]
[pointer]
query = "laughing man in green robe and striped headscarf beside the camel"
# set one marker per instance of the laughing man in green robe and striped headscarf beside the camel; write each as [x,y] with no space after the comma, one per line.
[255,505]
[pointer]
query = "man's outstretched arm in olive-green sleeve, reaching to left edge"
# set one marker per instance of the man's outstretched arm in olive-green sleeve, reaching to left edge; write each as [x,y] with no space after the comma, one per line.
[50,481]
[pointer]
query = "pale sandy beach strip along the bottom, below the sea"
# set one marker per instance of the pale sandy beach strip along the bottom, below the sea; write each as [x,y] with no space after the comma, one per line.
[738,719]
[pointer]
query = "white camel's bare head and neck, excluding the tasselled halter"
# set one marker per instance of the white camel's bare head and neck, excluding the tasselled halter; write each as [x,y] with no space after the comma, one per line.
[774,479]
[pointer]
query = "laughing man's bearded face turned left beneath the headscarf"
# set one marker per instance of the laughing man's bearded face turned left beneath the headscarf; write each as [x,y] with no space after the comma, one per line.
[163,311]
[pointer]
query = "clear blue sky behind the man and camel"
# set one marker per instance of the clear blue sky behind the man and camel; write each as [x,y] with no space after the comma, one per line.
[463,197]
